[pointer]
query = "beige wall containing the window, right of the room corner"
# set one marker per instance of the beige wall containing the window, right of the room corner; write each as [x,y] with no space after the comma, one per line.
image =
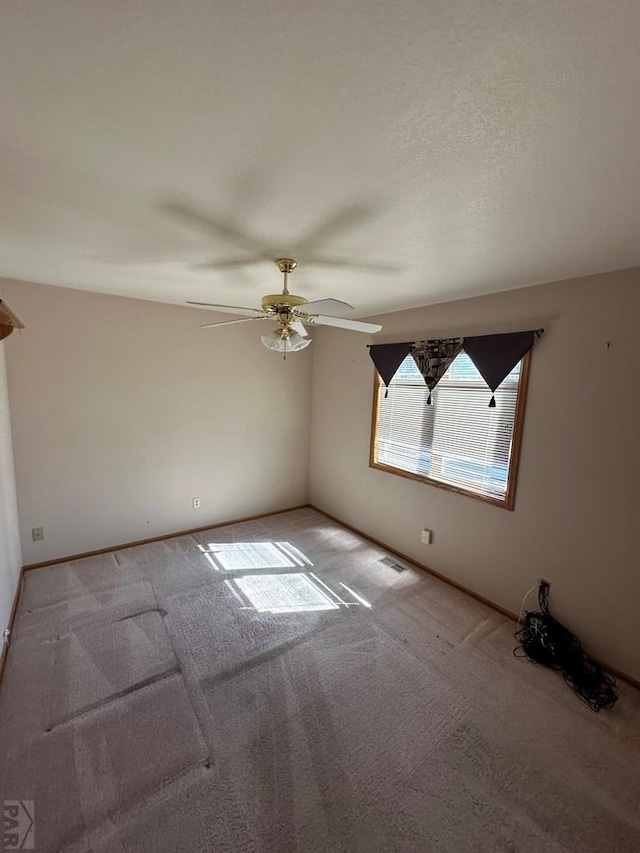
[577,497]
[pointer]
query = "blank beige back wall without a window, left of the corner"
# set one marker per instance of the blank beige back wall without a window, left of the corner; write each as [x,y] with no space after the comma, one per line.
[124,410]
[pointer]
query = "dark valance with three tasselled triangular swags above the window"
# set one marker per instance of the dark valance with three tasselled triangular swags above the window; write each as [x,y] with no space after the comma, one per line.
[494,356]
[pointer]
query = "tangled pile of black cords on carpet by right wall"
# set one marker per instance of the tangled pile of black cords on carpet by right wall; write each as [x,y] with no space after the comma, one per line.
[542,639]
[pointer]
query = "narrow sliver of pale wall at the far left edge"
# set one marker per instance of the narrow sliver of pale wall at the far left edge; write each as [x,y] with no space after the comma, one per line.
[10,557]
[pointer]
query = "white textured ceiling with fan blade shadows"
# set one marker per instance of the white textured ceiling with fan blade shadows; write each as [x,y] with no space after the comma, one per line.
[463,147]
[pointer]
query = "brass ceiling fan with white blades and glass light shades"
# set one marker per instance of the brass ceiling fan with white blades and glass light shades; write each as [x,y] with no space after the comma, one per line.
[292,313]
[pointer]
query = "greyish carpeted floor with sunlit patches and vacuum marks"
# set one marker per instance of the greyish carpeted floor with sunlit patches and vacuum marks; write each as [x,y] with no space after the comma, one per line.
[274,686]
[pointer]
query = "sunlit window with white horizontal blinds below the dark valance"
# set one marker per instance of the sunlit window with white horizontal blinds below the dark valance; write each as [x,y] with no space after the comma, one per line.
[458,442]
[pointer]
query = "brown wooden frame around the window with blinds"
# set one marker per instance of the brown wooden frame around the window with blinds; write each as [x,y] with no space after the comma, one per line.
[509,499]
